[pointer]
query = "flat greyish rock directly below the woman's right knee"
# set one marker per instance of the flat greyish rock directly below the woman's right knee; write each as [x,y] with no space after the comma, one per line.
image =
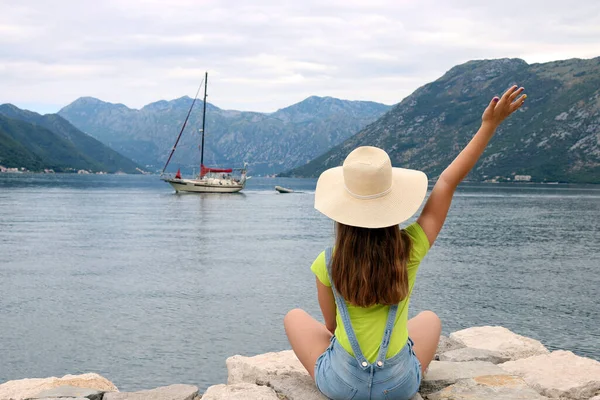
[445,373]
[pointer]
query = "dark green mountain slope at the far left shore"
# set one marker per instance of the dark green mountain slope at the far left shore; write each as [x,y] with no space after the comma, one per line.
[37,141]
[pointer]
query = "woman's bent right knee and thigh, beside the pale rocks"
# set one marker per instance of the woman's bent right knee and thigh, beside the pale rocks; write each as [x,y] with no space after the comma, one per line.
[425,330]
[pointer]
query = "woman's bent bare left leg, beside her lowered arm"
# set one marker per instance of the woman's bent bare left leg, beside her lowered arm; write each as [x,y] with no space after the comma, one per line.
[309,338]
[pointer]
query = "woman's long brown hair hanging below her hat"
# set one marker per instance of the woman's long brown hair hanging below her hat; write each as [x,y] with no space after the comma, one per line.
[369,266]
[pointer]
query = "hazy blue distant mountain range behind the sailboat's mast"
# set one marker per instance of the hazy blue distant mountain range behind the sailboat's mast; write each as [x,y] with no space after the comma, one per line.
[269,142]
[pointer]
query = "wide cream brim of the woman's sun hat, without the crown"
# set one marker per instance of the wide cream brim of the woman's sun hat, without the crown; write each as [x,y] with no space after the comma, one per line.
[408,190]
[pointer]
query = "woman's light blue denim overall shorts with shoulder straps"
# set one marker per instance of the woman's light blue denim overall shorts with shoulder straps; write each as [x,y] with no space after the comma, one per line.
[341,376]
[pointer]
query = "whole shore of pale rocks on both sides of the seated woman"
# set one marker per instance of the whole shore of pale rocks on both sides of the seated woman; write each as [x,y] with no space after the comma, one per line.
[475,363]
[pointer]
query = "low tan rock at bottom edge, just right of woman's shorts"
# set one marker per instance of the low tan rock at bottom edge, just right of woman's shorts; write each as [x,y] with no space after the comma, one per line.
[491,387]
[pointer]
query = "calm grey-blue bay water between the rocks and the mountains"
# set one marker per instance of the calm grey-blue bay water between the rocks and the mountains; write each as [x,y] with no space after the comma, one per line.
[118,275]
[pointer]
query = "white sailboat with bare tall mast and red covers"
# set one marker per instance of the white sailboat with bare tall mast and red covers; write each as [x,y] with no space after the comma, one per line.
[209,180]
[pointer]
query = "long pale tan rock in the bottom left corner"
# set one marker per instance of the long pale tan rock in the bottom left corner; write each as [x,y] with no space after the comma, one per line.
[26,388]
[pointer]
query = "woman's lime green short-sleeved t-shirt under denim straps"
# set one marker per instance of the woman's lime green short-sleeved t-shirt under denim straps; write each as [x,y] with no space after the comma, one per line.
[369,323]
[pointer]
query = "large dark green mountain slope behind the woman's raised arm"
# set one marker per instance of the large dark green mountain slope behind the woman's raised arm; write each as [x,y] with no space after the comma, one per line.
[555,136]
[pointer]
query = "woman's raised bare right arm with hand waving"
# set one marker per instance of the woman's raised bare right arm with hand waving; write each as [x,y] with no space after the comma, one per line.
[436,209]
